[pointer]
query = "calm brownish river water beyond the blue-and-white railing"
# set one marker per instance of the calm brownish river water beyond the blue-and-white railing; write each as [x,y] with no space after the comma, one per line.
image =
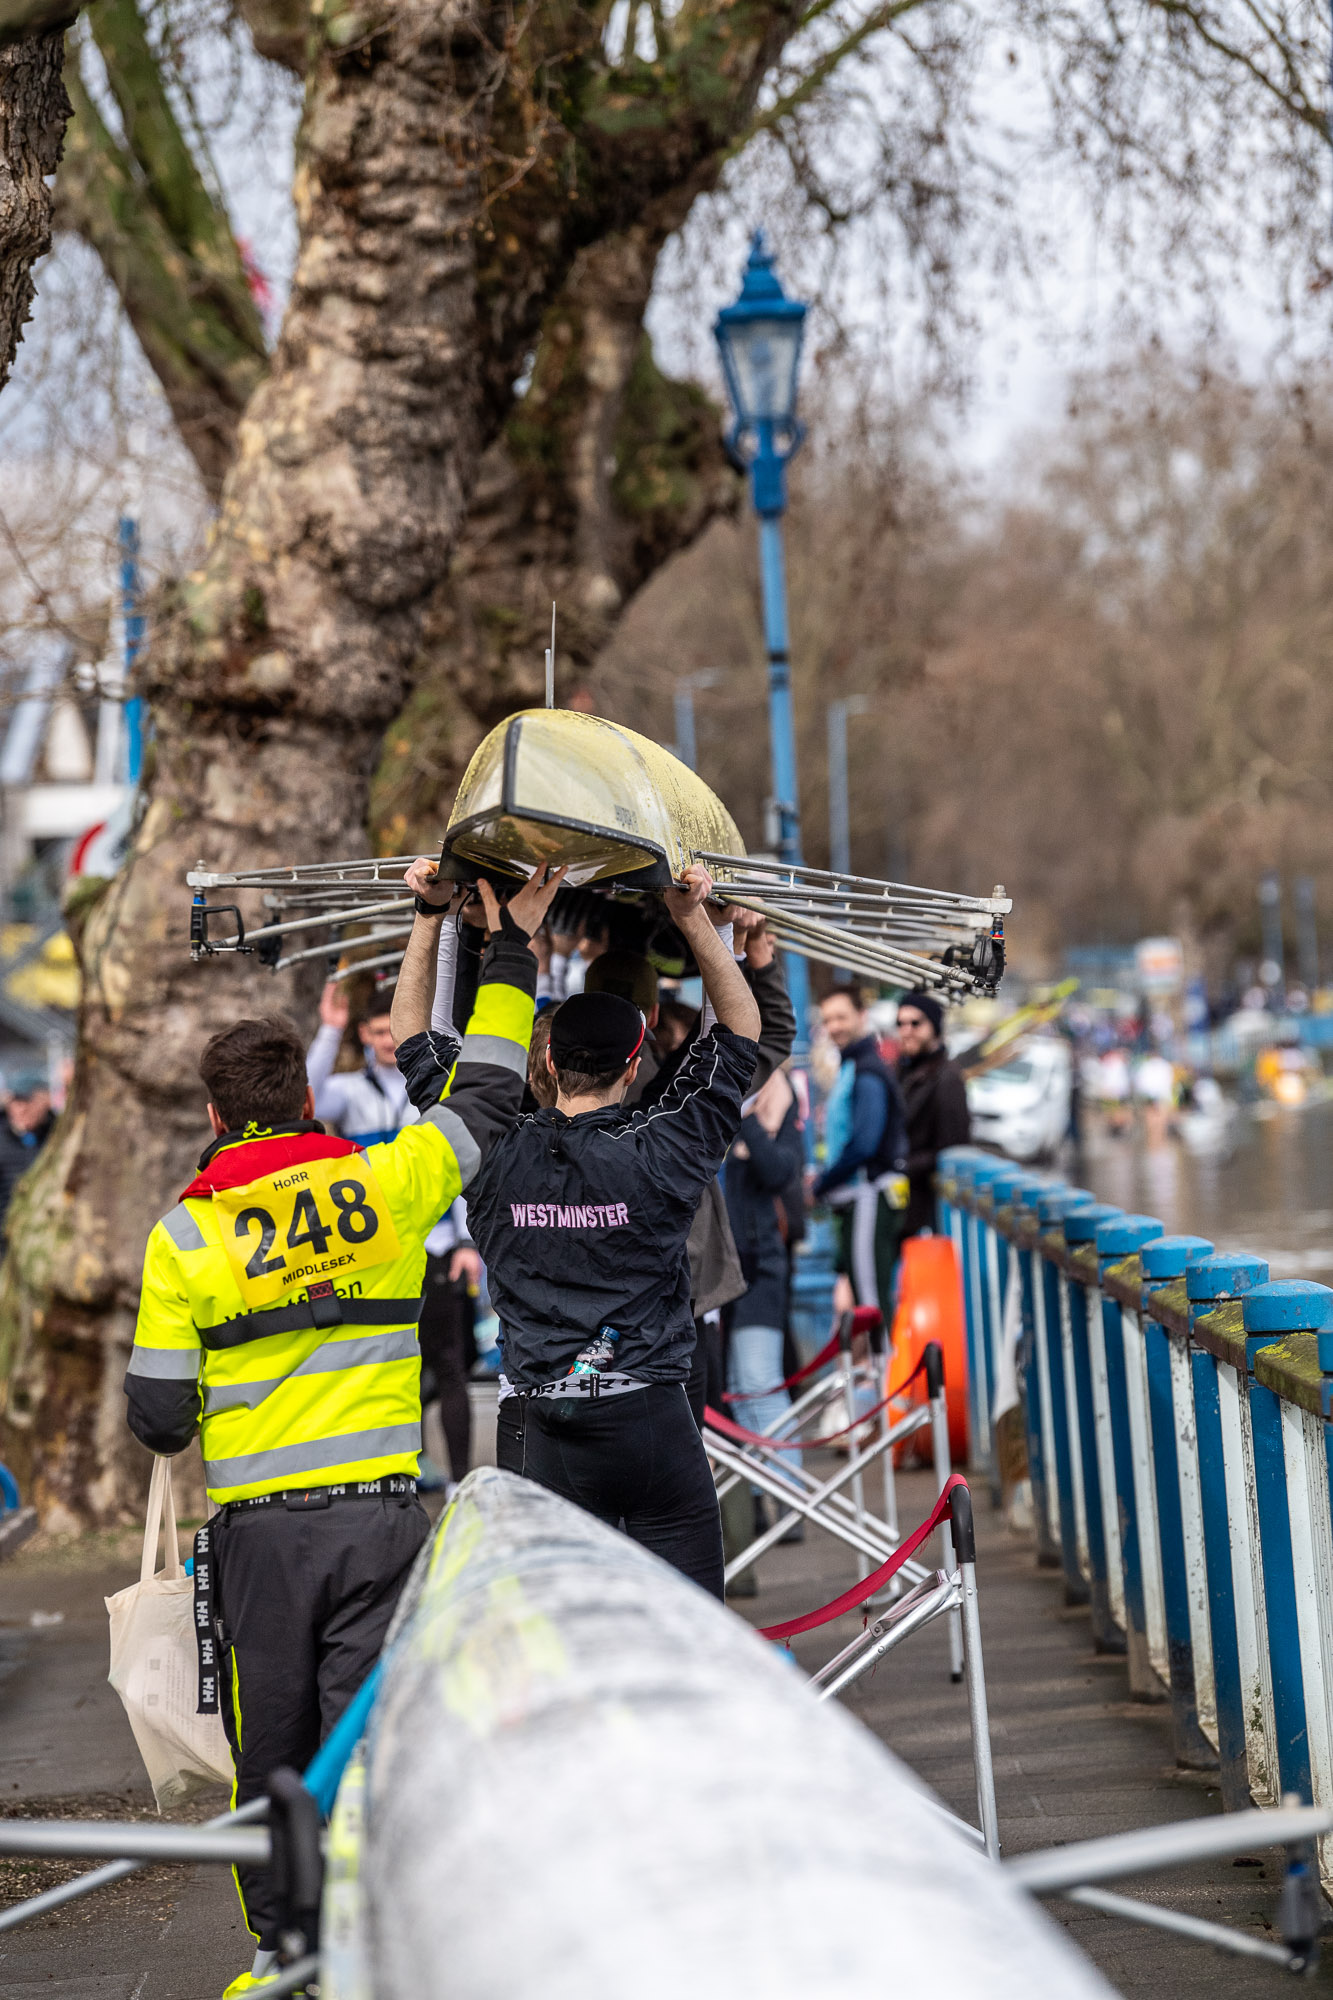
[1264,1185]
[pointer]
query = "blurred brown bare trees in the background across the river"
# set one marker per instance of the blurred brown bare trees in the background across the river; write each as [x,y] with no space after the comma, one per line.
[1110,687]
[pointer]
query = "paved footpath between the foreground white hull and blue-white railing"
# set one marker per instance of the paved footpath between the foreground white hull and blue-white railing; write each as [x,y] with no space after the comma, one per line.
[1074,1755]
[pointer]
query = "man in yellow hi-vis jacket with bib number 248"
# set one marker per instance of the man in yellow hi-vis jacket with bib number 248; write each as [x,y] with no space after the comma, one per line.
[279,1321]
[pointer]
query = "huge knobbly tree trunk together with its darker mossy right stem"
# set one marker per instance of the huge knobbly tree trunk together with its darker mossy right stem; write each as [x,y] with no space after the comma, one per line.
[275,669]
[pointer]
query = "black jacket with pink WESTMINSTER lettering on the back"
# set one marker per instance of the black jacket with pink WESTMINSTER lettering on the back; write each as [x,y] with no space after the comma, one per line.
[583,1223]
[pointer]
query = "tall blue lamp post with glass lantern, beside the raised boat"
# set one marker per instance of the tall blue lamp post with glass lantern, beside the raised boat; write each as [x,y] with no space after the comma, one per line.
[760,341]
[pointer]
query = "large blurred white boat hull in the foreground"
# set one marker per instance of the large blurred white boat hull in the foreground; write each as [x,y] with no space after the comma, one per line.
[587,1781]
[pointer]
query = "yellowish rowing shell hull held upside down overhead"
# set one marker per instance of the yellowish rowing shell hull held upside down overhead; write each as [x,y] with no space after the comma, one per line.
[553,787]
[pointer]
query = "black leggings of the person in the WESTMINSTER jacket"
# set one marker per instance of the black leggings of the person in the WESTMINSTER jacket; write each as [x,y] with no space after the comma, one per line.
[635,1461]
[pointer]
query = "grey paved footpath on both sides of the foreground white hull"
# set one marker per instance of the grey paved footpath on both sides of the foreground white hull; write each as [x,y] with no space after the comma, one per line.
[1074,1755]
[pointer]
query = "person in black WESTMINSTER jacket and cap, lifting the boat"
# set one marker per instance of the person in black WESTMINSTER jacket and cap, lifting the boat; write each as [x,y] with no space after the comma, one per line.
[583,1217]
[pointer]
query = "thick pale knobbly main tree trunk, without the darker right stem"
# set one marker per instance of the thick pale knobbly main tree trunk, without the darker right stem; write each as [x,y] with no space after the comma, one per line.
[273,677]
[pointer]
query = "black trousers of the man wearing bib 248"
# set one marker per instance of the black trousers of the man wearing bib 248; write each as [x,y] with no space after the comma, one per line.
[305,1599]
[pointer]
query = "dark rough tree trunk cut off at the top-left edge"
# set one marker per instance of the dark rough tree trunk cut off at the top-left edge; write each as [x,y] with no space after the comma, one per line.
[33,117]
